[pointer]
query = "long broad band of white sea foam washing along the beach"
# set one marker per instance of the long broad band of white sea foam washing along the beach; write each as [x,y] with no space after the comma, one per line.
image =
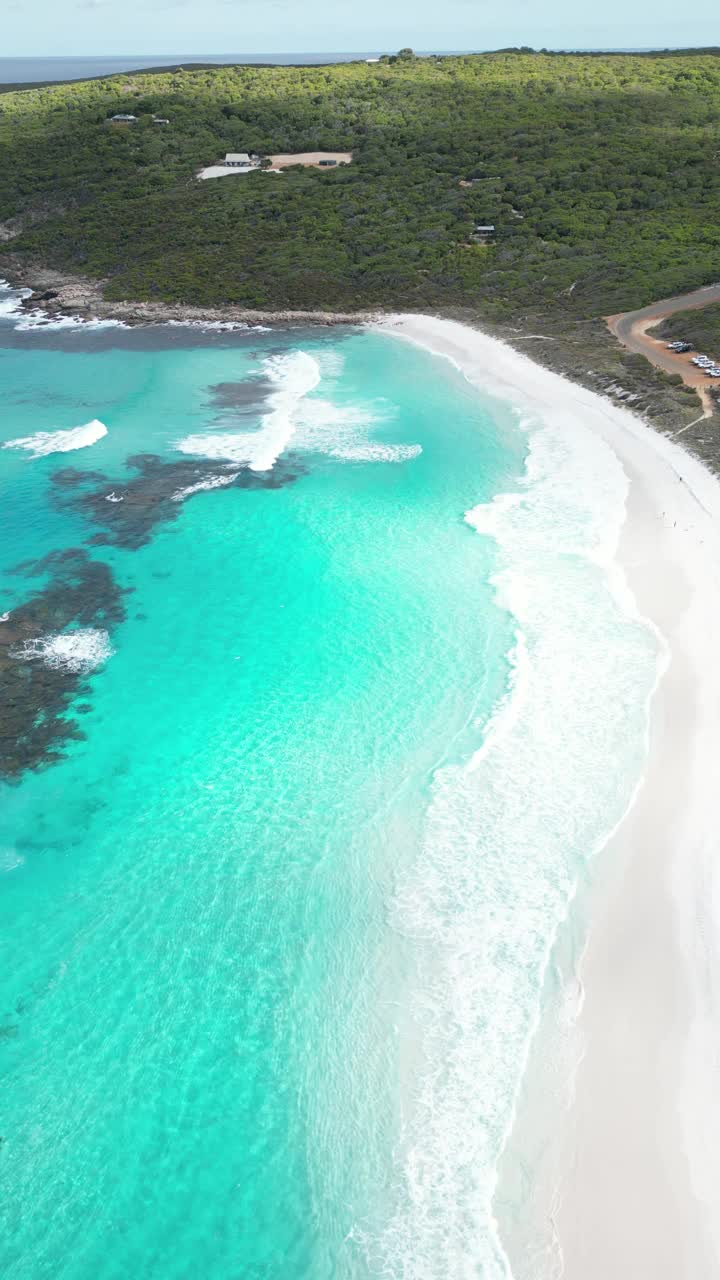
[508,836]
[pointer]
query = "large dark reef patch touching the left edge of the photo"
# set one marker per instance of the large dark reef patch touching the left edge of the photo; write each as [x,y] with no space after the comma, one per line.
[79,593]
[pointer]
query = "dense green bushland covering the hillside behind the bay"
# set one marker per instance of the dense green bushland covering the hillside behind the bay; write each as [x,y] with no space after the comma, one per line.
[601,173]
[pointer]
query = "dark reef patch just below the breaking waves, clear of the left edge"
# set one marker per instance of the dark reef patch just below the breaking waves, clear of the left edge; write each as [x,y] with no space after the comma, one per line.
[127,511]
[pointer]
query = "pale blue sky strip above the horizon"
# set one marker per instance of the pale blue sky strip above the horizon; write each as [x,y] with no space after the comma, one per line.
[67,28]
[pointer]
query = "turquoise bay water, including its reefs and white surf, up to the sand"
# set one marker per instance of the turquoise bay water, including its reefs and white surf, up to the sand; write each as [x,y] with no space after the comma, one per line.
[274,929]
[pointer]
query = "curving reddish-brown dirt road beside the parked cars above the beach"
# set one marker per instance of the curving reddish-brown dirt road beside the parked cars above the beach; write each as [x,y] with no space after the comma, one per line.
[631,328]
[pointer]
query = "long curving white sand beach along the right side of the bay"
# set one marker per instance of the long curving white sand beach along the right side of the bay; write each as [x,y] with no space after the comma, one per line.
[613,1169]
